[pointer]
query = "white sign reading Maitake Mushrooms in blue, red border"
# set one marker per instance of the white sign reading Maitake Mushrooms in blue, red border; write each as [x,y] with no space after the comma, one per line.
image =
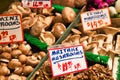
[67,60]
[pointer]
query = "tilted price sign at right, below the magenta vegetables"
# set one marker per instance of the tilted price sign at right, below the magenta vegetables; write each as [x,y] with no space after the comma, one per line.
[95,19]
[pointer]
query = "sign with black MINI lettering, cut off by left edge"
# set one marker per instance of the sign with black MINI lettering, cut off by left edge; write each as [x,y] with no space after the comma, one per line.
[10,28]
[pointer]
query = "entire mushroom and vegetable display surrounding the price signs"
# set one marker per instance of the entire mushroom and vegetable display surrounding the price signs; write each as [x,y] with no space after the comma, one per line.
[60,24]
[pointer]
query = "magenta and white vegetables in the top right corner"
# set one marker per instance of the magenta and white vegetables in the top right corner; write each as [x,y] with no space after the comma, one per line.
[113,6]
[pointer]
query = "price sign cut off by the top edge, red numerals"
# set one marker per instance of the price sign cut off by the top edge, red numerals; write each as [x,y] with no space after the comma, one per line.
[37,3]
